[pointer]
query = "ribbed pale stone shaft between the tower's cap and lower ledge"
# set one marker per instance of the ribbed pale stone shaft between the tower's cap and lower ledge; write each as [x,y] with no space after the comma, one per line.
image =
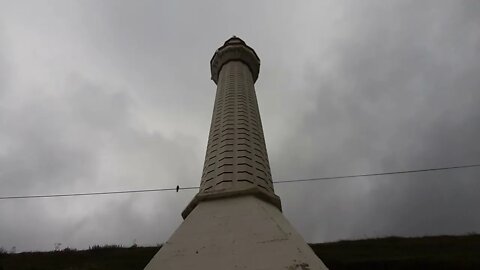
[236,154]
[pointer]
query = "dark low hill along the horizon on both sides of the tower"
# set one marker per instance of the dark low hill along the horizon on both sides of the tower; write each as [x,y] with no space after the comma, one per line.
[433,252]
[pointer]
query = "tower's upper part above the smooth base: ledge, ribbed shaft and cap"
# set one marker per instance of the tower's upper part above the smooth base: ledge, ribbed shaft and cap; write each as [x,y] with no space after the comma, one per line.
[236,162]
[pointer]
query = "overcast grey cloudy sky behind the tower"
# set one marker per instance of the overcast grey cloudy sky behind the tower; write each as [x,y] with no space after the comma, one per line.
[113,95]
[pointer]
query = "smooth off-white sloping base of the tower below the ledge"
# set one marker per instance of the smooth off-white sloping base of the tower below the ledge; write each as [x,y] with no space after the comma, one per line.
[235,233]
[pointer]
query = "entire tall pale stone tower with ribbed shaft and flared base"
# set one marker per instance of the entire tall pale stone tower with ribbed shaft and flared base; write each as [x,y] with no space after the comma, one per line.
[235,220]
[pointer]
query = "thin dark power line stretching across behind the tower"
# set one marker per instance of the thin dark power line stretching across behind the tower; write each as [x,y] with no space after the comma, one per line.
[275,182]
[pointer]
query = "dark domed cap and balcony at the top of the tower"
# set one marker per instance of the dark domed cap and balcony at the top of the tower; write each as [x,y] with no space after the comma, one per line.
[234,49]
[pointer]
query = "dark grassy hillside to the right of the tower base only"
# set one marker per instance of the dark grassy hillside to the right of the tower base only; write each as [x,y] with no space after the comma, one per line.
[438,252]
